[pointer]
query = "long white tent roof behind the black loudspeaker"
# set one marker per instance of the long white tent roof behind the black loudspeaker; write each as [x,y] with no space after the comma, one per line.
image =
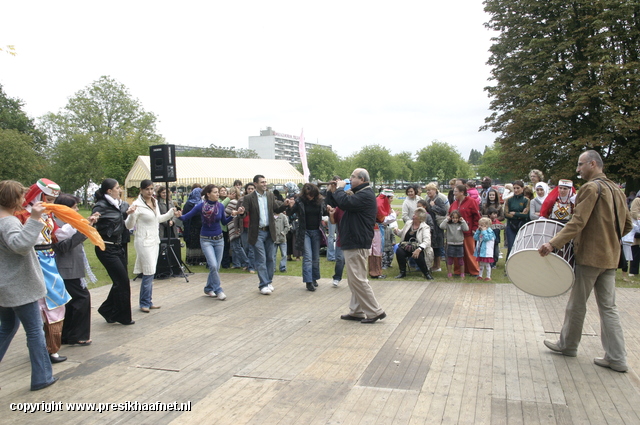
[223,171]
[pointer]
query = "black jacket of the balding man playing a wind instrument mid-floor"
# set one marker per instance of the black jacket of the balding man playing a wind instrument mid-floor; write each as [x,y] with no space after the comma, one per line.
[359,218]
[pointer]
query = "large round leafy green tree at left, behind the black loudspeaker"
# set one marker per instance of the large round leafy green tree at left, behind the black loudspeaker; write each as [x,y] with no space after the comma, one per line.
[107,124]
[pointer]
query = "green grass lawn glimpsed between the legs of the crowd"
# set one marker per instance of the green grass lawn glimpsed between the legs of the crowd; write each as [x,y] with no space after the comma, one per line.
[294,268]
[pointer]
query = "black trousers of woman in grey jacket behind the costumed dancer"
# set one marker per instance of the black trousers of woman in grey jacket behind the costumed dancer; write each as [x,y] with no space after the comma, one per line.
[77,316]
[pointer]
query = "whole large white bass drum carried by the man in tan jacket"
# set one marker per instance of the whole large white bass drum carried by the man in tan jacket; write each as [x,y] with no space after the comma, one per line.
[548,276]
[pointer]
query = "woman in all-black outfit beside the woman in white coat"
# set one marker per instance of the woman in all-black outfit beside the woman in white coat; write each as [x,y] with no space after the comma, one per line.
[110,225]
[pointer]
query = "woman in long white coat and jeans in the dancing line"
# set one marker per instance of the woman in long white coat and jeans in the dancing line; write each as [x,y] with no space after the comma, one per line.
[146,219]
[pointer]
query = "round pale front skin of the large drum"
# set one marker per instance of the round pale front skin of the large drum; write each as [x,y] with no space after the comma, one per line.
[548,276]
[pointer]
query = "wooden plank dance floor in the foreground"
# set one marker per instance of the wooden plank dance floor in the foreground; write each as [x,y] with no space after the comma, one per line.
[448,352]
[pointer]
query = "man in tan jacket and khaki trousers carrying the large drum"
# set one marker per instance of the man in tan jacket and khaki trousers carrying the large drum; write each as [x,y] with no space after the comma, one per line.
[599,219]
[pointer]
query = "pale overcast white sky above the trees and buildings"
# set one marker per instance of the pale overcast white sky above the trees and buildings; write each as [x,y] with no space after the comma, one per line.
[350,73]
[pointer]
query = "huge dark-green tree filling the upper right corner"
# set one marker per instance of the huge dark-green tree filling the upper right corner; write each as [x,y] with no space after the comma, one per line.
[566,78]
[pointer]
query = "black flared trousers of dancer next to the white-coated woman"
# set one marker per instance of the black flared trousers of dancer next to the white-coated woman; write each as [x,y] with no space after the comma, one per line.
[117,306]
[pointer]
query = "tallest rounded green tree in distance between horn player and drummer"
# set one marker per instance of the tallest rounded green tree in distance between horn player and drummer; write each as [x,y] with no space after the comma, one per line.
[440,161]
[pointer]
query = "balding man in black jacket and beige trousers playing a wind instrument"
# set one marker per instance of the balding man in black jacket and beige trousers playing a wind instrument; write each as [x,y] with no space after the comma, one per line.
[356,233]
